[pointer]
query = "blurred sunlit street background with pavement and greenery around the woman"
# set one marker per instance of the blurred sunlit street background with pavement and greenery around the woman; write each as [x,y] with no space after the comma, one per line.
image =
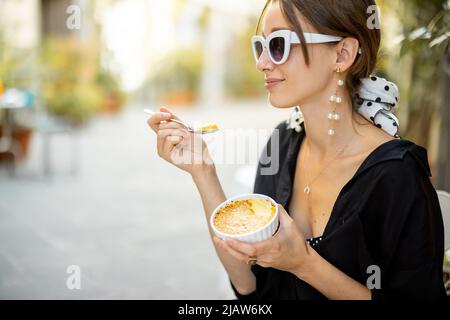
[80,180]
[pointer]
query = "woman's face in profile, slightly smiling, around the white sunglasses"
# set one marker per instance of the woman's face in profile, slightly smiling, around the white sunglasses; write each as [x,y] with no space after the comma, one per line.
[295,83]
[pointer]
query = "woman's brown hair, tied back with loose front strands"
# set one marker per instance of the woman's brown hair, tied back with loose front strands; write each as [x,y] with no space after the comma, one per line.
[344,18]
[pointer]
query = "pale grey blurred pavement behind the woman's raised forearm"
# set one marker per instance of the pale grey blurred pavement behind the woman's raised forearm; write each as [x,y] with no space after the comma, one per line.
[133,223]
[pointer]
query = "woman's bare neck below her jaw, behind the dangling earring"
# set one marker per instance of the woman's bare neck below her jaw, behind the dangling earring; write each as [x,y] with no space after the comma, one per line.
[316,122]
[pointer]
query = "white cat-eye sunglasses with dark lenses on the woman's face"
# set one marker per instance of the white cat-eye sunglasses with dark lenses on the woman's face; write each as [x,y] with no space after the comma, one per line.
[278,43]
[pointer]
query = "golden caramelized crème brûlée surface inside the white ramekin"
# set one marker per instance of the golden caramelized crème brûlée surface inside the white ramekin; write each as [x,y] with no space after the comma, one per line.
[244,216]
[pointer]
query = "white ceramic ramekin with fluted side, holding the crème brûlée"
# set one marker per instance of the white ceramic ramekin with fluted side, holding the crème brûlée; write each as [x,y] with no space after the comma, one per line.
[261,234]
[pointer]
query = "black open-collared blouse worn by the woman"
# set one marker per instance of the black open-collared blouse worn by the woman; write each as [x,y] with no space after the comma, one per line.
[387,215]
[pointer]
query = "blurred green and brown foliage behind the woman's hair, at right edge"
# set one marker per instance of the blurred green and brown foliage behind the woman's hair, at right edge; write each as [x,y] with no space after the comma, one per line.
[425,27]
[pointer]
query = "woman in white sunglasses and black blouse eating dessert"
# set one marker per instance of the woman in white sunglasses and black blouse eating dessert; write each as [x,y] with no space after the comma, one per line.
[359,216]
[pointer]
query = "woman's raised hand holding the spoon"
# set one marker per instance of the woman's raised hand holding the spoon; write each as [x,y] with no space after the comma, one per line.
[177,145]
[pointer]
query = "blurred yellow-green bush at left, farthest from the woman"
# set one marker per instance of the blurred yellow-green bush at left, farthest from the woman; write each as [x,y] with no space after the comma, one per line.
[74,85]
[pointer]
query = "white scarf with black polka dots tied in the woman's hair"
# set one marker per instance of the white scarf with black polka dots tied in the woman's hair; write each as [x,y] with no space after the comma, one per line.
[375,101]
